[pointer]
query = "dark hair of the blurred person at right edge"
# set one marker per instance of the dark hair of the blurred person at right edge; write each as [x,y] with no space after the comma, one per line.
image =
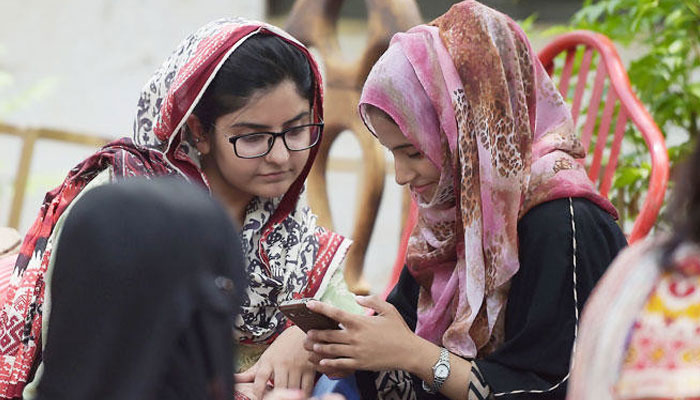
[684,207]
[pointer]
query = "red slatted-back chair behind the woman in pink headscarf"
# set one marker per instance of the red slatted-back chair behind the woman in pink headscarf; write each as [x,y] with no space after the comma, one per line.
[620,102]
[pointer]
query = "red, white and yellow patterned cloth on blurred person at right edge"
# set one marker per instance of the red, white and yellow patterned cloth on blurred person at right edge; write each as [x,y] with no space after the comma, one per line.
[663,354]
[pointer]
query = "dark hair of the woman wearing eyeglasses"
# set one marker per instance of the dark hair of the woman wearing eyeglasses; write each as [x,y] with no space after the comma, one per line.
[260,62]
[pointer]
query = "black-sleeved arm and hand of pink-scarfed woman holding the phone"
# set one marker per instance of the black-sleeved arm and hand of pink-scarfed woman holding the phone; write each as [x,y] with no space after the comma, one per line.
[540,318]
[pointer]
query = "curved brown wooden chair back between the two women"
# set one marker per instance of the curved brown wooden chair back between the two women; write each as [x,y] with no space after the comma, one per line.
[314,22]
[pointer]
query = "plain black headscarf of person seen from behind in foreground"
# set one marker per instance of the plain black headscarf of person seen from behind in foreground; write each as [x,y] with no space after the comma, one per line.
[145,287]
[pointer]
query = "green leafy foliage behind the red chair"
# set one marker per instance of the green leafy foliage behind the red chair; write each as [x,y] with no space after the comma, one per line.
[664,72]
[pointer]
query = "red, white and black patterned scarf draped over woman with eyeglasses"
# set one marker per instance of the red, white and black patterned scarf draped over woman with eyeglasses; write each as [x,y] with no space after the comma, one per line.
[277,232]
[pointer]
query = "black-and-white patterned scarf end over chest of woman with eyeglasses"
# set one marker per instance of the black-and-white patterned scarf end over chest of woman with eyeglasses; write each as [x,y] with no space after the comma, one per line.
[302,259]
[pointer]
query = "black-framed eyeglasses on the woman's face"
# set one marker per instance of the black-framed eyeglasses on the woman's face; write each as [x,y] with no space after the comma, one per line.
[258,144]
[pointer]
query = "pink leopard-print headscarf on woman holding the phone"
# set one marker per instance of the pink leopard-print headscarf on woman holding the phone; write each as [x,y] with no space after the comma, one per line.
[470,93]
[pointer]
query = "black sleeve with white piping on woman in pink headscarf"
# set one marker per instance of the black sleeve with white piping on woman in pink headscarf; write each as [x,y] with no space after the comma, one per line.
[547,295]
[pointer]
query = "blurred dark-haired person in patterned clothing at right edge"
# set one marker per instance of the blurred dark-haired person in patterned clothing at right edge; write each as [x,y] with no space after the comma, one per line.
[640,330]
